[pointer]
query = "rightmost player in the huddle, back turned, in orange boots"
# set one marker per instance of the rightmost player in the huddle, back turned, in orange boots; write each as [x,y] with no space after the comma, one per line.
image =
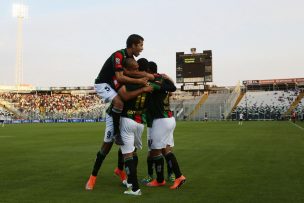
[161,133]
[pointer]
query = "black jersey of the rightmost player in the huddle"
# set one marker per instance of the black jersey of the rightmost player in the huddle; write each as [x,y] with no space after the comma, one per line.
[158,102]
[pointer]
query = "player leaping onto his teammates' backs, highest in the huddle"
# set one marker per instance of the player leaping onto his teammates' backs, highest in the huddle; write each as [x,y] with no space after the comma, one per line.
[112,75]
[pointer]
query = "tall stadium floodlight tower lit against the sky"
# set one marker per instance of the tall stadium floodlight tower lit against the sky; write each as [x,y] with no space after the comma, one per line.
[20,11]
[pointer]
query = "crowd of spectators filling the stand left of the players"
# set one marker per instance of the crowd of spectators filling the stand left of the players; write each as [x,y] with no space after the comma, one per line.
[56,106]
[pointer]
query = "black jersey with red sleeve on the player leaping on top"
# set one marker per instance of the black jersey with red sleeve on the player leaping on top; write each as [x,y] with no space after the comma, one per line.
[114,63]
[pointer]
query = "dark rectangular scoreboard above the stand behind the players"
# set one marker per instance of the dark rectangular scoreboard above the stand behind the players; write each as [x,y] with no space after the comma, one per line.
[194,68]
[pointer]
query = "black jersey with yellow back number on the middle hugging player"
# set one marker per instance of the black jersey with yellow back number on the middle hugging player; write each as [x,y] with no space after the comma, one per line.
[135,109]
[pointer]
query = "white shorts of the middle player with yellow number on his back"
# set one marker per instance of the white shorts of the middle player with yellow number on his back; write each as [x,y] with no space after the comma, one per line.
[131,133]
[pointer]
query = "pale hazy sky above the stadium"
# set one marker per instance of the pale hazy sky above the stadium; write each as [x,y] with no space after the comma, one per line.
[66,42]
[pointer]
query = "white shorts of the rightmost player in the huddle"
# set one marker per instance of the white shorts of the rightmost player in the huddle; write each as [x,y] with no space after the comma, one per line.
[161,133]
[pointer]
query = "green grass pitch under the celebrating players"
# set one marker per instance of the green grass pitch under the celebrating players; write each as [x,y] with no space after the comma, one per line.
[223,162]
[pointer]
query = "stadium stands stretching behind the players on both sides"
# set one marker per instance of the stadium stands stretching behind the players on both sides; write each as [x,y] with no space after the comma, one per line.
[256,99]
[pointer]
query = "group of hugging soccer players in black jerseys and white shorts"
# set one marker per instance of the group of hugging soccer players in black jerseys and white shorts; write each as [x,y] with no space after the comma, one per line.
[138,96]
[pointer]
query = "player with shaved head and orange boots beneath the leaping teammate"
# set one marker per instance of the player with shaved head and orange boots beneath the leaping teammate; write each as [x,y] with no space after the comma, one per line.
[109,135]
